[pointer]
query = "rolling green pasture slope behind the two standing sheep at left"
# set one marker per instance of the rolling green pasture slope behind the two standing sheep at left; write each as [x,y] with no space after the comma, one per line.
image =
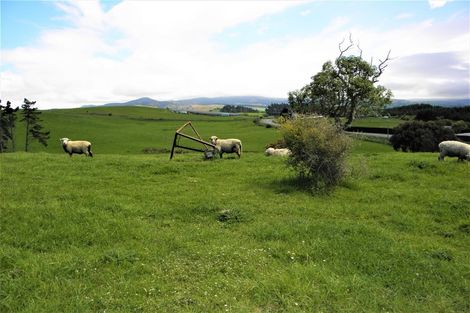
[129,130]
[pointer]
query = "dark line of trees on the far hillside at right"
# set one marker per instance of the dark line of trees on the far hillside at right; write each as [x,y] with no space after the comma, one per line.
[427,112]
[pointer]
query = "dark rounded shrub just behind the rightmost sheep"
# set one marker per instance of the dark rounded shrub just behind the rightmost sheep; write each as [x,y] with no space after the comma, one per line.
[418,136]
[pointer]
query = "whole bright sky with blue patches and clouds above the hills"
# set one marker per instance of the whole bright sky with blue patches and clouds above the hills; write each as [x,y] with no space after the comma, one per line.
[66,54]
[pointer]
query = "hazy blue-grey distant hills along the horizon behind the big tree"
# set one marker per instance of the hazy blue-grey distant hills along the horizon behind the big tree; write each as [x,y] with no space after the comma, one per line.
[263,101]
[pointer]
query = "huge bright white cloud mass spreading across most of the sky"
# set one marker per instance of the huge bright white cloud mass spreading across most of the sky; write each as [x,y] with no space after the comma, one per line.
[167,50]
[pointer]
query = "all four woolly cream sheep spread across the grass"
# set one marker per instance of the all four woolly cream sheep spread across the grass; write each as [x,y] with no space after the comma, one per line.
[450,148]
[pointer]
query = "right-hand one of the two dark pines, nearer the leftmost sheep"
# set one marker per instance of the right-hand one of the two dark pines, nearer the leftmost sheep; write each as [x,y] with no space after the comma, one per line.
[33,126]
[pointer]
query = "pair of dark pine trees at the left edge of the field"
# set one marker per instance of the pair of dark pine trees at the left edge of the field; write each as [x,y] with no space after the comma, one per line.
[30,117]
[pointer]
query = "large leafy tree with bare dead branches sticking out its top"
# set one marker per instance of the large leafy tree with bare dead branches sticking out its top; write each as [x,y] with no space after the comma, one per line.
[344,89]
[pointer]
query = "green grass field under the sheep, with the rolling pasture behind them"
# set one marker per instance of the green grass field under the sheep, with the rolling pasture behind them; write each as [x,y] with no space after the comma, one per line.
[132,232]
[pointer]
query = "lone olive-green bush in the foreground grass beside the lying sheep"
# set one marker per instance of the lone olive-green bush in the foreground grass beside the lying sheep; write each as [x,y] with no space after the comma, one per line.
[319,150]
